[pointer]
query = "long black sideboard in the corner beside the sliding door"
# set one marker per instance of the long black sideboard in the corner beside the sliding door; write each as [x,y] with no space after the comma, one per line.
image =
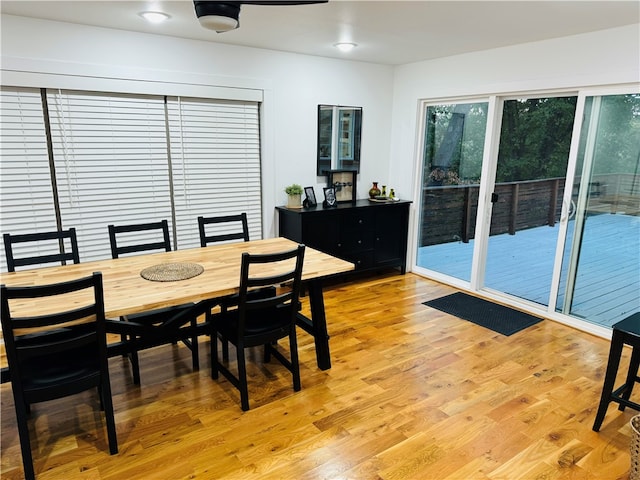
[369,234]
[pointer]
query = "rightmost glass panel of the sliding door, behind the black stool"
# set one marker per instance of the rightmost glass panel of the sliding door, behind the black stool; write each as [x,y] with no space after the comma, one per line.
[600,278]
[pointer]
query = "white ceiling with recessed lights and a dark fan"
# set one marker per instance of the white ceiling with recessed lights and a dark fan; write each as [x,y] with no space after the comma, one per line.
[387,32]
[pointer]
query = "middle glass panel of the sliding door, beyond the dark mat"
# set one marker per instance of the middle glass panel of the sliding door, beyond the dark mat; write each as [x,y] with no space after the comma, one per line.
[535,139]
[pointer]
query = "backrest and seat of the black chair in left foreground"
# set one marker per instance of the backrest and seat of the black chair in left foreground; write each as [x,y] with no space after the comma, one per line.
[74,332]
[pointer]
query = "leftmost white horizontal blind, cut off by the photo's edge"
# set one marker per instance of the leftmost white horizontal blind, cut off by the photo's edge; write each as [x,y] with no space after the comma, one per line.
[26,194]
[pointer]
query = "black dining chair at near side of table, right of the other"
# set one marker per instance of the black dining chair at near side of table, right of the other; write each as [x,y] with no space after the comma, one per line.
[261,321]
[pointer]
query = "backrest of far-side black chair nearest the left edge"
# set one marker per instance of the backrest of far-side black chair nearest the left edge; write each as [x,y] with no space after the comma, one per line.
[51,242]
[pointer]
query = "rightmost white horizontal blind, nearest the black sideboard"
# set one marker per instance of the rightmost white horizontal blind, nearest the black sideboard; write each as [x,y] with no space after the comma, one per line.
[215,156]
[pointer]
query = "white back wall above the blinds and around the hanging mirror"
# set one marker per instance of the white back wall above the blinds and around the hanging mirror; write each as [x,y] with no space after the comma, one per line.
[293,85]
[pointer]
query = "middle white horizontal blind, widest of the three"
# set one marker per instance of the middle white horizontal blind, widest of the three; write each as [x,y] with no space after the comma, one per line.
[110,154]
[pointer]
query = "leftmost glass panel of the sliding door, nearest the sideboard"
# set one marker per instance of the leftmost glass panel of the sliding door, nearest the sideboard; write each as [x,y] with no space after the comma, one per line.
[453,146]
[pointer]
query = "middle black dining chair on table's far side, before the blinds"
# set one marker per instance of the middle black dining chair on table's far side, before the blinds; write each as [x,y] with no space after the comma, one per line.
[139,238]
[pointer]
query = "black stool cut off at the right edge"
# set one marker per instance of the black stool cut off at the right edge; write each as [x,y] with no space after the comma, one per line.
[627,332]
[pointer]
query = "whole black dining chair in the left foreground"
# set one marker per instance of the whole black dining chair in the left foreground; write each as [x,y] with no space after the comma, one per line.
[56,354]
